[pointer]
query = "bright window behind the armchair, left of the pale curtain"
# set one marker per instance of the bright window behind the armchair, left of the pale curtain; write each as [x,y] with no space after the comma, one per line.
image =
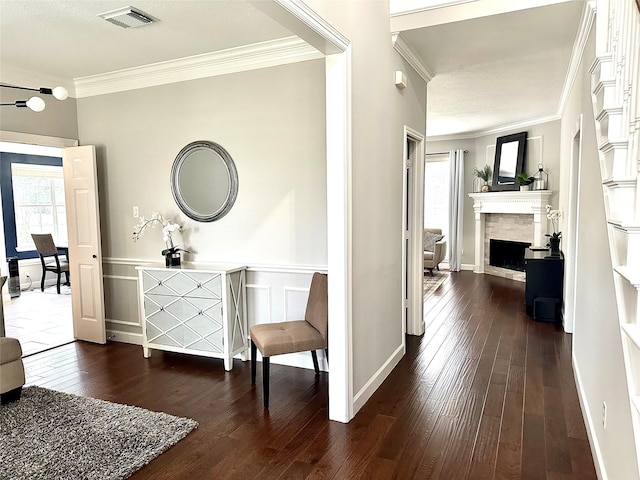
[436,192]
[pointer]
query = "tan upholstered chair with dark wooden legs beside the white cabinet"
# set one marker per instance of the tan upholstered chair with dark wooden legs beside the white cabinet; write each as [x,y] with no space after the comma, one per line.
[293,336]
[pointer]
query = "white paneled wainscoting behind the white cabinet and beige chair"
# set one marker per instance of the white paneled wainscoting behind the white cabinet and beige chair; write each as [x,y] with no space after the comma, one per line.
[274,294]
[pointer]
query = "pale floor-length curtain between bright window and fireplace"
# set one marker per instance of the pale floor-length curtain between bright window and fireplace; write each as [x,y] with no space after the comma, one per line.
[456,204]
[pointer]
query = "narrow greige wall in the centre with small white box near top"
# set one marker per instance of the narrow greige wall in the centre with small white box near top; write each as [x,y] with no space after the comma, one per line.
[379,113]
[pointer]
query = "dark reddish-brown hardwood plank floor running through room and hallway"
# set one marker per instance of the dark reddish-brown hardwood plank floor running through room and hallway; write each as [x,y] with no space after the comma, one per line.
[485,393]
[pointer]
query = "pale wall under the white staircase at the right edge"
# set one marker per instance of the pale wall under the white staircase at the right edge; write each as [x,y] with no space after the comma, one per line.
[597,347]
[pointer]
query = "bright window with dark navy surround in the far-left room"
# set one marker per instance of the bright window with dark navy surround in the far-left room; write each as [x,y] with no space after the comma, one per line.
[32,201]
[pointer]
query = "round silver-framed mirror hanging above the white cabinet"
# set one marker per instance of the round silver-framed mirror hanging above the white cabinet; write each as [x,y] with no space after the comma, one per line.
[204,181]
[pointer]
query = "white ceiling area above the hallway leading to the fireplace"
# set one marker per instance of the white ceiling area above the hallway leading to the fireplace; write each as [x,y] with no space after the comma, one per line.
[497,70]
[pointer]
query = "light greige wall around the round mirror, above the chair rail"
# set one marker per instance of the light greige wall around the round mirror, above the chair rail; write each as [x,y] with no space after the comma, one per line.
[271,121]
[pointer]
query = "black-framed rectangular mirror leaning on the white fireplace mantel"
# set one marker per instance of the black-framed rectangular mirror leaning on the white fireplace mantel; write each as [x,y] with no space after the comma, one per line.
[509,161]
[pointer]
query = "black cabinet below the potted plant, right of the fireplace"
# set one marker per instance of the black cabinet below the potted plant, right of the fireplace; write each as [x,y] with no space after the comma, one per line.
[544,284]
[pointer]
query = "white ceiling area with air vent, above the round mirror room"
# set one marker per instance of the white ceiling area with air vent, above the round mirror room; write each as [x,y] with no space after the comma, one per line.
[66,39]
